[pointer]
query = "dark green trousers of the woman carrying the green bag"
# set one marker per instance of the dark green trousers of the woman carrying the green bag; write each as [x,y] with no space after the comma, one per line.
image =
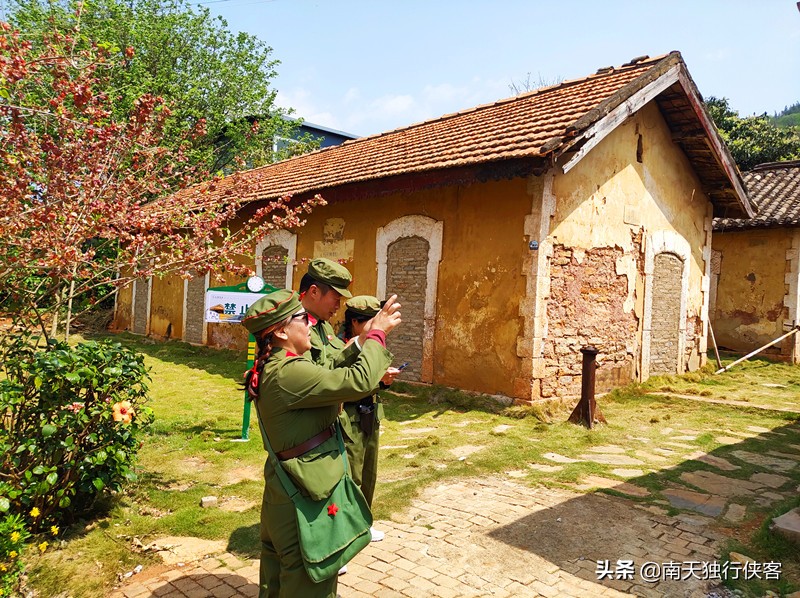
[282,574]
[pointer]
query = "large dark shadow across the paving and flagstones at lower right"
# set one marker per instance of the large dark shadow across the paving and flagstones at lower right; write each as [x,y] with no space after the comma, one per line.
[681,519]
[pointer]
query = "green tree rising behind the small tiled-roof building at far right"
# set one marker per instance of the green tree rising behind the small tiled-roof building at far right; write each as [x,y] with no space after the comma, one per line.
[752,140]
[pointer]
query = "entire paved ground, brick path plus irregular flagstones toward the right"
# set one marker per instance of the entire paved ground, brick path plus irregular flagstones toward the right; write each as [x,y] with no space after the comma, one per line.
[500,537]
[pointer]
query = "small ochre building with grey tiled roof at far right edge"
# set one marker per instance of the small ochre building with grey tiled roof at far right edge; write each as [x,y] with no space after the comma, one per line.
[755,275]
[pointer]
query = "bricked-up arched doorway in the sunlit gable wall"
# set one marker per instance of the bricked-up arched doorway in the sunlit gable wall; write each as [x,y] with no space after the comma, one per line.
[665,324]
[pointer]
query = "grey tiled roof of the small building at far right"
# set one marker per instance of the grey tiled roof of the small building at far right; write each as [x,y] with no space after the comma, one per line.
[775,189]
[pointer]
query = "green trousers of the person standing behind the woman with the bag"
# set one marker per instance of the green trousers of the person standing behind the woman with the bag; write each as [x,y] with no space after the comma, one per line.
[362,450]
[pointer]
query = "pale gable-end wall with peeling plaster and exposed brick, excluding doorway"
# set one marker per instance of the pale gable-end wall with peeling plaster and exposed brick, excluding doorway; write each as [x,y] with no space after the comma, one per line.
[634,184]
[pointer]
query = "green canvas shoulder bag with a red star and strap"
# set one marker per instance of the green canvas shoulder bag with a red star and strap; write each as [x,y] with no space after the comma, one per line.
[331,531]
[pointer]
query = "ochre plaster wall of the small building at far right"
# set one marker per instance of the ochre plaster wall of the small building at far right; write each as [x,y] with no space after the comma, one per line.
[750,309]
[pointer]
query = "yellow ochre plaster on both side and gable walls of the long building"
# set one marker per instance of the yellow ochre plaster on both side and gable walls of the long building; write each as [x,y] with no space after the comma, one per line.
[606,201]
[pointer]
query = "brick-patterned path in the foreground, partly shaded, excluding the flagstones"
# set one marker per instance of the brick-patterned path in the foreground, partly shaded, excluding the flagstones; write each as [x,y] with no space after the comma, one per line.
[485,537]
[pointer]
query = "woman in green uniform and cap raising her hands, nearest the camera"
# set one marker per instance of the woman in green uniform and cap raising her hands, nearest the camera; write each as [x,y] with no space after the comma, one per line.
[298,403]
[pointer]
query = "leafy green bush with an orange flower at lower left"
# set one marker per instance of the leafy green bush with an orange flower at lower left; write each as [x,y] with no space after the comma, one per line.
[70,426]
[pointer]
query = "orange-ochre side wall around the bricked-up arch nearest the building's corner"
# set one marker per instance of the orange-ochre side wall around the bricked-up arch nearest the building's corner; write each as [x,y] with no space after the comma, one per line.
[476,316]
